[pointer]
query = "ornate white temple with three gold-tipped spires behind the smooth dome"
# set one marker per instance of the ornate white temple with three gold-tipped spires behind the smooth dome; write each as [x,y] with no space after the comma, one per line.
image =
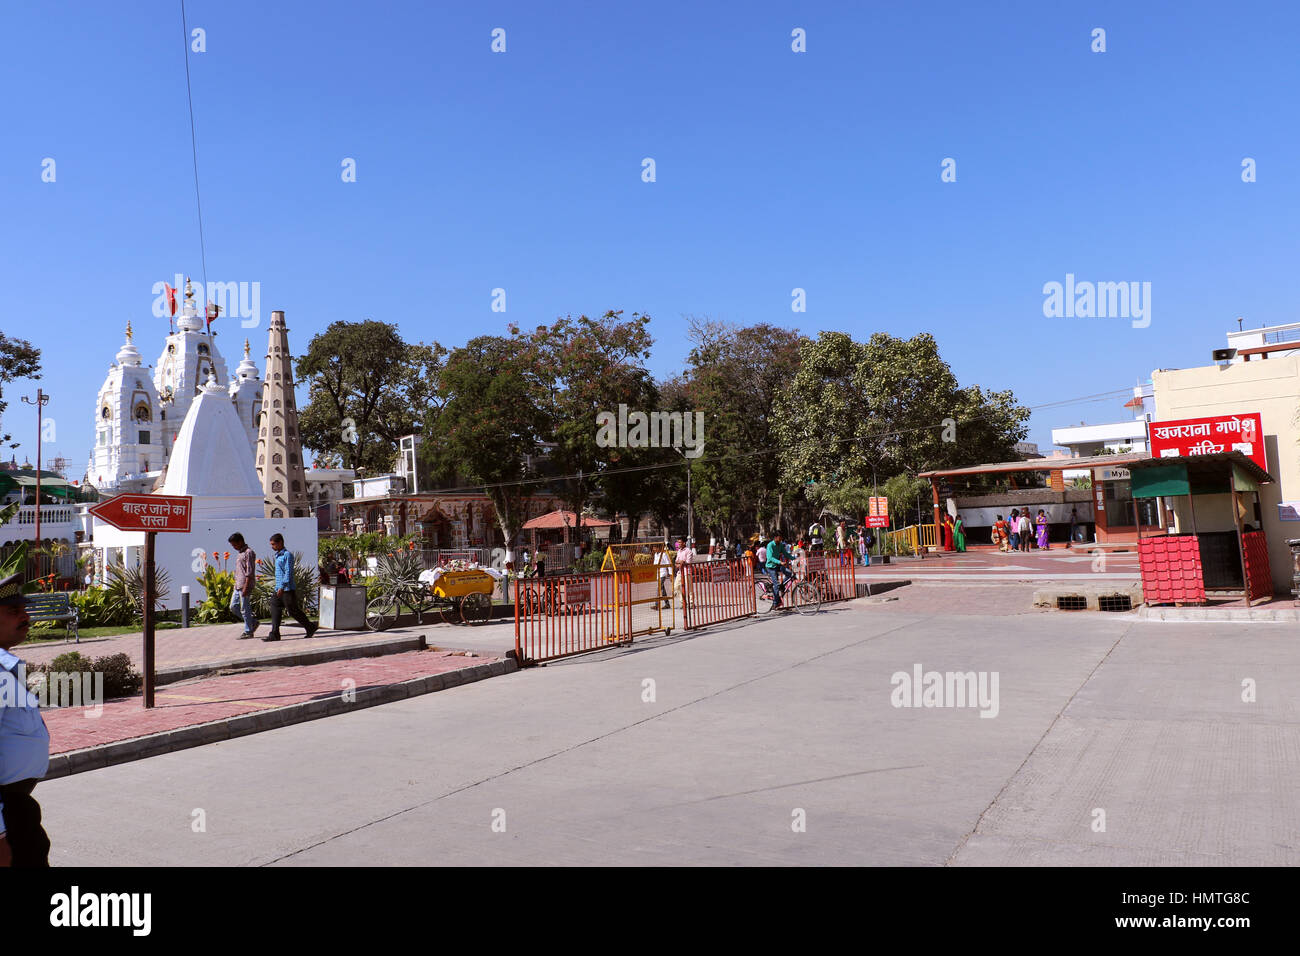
[140,409]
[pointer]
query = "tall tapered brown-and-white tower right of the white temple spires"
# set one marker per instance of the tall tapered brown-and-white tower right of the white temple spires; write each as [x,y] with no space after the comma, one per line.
[280,452]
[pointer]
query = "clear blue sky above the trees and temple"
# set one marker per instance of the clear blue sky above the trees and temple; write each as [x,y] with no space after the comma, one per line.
[774,171]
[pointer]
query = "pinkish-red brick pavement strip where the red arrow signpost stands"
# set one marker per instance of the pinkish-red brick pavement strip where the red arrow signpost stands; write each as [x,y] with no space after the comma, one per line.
[214,699]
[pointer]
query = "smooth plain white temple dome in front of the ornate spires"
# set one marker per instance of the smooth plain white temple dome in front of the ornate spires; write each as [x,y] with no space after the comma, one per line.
[213,460]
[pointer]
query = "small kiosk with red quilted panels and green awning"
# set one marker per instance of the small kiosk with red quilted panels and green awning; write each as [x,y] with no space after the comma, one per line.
[1215,540]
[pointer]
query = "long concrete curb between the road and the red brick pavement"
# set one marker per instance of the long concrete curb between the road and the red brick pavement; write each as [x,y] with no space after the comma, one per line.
[198,736]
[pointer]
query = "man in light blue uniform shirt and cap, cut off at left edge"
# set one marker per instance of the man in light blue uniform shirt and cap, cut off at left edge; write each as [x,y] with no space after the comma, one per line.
[24,741]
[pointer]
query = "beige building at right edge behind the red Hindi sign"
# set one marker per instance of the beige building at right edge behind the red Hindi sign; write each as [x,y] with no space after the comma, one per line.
[1271,388]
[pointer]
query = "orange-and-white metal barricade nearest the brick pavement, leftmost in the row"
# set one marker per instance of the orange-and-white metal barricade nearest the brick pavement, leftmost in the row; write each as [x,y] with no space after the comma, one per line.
[570,615]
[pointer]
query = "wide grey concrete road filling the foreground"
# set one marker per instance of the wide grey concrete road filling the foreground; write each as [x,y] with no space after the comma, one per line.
[749,726]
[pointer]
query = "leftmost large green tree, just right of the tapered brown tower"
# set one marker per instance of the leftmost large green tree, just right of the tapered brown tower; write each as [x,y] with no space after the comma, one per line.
[367,388]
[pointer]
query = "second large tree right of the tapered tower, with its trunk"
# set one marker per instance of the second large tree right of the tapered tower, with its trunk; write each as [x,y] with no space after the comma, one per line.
[489,418]
